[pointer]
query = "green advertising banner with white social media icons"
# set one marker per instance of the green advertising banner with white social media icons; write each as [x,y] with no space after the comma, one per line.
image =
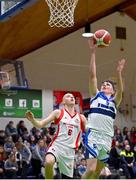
[14,103]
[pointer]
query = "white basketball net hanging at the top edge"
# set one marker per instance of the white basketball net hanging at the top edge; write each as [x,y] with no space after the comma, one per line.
[61,12]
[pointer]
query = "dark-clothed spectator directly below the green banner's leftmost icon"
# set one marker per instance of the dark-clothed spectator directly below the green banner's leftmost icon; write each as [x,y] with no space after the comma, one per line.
[10,130]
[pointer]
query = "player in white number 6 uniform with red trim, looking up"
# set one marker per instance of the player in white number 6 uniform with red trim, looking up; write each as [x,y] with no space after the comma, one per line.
[67,139]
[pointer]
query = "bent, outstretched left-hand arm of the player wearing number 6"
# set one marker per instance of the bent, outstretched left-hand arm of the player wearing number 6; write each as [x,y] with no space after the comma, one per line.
[39,124]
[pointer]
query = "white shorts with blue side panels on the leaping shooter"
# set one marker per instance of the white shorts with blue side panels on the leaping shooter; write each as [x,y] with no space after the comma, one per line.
[97,145]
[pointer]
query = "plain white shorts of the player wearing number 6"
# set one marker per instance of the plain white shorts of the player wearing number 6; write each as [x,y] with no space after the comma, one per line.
[64,157]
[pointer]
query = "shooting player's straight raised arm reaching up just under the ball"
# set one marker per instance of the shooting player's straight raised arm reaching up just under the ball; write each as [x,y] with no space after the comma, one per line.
[92,70]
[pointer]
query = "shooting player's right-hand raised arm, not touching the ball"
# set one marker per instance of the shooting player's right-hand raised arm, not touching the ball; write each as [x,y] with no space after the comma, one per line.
[118,96]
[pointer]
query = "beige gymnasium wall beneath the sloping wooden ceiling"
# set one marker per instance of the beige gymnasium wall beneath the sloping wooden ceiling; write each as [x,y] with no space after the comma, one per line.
[64,65]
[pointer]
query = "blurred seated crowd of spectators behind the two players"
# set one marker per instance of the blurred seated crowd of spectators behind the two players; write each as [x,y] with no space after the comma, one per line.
[22,153]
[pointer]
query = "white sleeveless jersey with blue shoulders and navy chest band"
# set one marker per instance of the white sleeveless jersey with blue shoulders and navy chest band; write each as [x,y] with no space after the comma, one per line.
[102,114]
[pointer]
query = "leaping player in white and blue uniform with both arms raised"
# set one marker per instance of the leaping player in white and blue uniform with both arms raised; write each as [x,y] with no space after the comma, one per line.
[103,104]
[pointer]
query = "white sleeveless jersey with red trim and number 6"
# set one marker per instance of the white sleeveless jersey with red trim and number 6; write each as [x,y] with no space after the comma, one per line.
[69,129]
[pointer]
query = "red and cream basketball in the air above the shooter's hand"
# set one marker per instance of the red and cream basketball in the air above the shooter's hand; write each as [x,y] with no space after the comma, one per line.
[102,38]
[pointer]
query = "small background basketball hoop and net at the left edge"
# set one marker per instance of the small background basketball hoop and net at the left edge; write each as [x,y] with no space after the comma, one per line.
[4,80]
